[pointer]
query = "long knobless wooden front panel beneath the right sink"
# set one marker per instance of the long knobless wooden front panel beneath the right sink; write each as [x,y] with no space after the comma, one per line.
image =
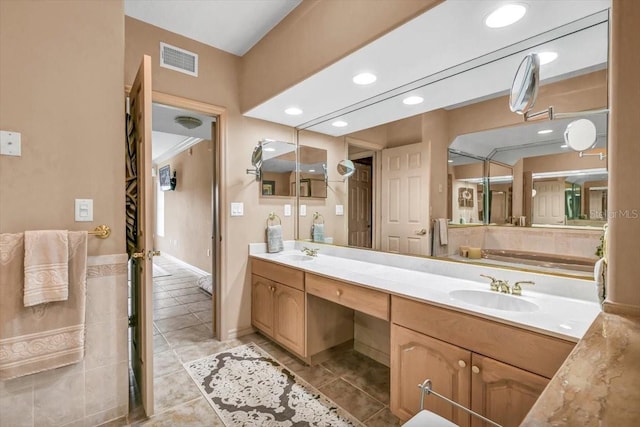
[527,350]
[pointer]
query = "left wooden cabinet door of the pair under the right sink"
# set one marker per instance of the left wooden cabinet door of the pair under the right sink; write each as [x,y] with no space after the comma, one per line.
[416,357]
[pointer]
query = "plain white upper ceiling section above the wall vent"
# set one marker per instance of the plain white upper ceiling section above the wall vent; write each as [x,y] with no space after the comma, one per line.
[230,25]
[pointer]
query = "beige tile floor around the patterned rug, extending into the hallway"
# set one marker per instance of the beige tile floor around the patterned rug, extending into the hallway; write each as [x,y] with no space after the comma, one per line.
[182,333]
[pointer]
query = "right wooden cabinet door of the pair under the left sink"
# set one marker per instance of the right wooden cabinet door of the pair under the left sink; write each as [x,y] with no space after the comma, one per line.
[289,318]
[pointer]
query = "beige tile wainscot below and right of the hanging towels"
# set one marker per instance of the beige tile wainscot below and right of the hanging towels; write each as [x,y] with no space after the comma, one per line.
[95,390]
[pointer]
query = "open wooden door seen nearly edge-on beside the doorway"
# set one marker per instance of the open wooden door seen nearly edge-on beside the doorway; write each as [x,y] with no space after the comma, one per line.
[142,266]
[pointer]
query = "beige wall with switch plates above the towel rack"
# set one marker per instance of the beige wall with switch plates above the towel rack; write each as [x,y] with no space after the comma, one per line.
[61,88]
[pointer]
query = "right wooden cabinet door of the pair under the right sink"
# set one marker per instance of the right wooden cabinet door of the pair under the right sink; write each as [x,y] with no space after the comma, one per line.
[501,392]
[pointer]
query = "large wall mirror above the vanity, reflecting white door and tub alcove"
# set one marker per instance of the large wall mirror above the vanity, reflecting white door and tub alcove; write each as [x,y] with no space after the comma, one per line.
[497,180]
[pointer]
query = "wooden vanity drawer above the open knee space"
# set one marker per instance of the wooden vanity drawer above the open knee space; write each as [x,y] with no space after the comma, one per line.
[374,303]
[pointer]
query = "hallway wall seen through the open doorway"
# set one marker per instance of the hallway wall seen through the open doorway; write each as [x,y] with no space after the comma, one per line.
[187,210]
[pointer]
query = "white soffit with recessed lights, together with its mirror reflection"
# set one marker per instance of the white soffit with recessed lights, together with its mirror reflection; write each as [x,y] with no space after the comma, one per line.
[449,49]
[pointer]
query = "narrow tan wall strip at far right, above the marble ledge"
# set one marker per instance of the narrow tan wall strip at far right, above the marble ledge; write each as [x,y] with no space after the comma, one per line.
[624,159]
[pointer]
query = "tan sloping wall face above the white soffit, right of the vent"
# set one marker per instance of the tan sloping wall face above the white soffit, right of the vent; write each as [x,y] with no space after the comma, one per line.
[315,35]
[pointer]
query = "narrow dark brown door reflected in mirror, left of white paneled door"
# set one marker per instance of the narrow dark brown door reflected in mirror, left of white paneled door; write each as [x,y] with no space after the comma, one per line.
[360,203]
